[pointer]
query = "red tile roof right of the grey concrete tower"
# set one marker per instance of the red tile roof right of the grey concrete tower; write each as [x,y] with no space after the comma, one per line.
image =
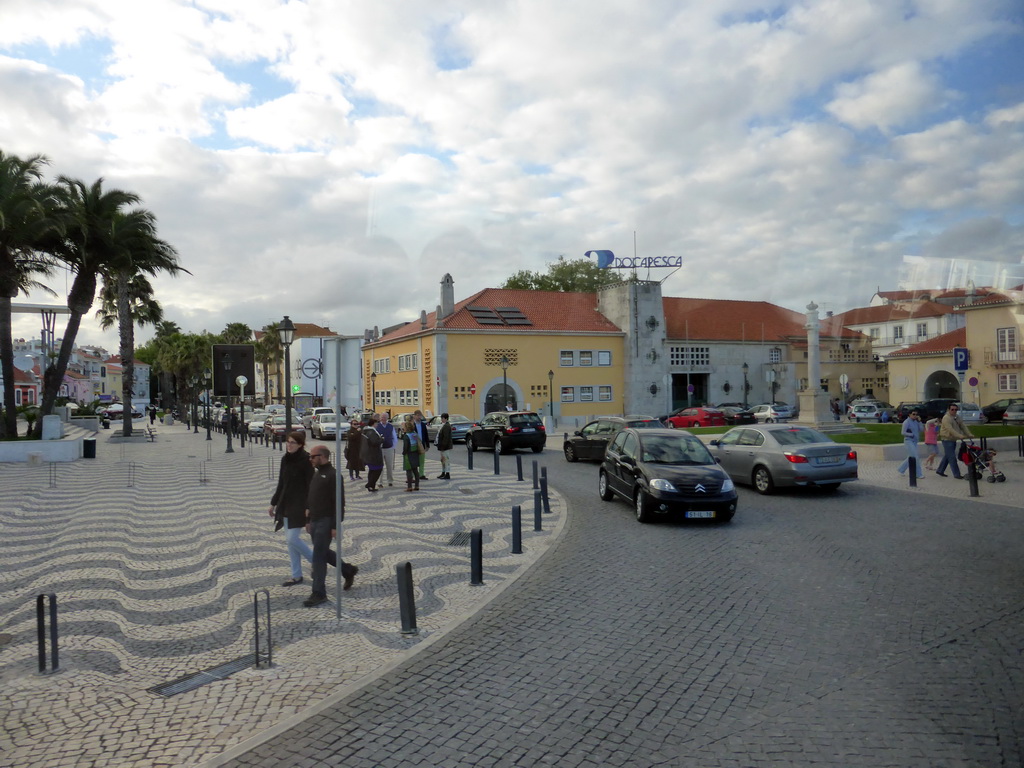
[724,320]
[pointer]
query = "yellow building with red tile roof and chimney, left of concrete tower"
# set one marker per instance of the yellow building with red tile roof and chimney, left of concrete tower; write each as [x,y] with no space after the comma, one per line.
[550,353]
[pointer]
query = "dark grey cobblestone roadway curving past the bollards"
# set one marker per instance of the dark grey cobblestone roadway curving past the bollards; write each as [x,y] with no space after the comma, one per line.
[872,627]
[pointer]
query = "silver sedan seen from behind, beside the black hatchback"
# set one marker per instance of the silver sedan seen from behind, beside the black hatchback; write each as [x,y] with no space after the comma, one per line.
[773,455]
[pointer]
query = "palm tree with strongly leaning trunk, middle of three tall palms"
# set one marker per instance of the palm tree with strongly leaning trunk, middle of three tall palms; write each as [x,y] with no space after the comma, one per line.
[91,243]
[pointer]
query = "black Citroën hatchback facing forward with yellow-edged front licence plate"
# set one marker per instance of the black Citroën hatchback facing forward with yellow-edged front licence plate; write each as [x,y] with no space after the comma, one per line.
[666,471]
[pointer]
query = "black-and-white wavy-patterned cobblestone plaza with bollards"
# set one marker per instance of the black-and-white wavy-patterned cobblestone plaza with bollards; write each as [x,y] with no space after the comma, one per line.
[155,573]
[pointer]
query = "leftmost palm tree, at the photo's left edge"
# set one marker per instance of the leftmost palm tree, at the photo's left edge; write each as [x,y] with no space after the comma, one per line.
[29,224]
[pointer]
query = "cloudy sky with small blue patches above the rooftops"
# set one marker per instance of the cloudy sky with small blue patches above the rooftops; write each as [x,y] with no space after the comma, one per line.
[332,160]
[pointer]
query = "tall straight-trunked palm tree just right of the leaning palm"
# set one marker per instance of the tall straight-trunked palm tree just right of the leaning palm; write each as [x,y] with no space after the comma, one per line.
[141,253]
